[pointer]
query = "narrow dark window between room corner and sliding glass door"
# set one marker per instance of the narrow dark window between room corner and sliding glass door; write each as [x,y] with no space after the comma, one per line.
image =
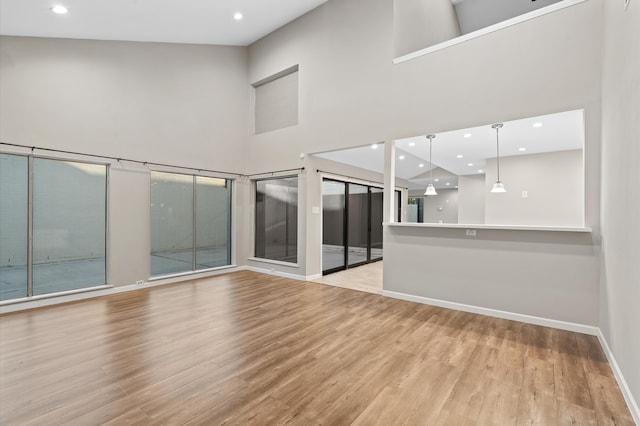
[276,230]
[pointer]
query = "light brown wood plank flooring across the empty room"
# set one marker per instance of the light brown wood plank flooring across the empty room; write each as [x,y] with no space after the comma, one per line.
[246,348]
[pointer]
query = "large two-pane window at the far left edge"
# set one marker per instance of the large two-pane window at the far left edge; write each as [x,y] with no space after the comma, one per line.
[62,205]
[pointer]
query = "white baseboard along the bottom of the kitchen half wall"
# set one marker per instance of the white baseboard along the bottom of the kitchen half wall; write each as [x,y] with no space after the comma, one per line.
[529,319]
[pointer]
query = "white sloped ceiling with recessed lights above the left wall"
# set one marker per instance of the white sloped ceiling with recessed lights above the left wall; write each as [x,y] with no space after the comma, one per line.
[172,21]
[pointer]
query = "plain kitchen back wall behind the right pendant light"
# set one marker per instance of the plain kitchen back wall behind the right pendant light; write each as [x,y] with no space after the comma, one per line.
[554,183]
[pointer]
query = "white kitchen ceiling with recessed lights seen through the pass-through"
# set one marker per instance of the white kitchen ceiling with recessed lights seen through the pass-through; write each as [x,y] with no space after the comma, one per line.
[559,132]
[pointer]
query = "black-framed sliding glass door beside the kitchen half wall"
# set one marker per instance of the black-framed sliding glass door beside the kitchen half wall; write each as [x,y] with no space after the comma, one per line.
[351,225]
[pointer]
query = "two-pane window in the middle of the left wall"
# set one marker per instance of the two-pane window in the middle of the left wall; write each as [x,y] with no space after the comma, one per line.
[190,223]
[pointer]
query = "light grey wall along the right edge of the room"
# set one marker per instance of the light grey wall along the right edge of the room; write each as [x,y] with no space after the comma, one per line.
[620,273]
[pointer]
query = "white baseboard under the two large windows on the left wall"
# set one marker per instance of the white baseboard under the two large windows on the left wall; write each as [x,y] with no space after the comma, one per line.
[82,294]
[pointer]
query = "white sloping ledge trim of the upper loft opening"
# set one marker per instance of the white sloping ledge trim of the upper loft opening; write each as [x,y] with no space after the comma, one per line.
[487,30]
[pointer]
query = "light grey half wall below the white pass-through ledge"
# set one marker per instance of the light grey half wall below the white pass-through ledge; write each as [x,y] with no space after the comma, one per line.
[550,275]
